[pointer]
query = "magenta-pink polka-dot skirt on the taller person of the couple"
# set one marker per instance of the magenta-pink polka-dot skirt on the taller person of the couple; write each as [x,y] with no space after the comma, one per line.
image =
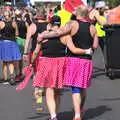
[78,72]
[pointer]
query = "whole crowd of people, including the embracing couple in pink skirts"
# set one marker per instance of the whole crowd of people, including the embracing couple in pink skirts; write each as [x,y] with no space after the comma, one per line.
[59,56]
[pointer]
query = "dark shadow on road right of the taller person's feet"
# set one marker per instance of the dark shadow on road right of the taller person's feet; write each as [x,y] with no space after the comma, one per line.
[95,112]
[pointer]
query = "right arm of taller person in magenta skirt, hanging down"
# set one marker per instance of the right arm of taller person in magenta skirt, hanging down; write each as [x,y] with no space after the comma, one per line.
[95,38]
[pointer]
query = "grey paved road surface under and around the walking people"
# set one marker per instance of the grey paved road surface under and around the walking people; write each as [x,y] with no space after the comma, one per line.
[103,99]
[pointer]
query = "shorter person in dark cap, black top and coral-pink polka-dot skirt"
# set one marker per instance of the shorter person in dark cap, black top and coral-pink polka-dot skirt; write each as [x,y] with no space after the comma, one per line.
[51,66]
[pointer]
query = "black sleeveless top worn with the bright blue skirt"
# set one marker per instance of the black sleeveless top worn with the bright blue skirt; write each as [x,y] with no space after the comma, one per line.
[8,32]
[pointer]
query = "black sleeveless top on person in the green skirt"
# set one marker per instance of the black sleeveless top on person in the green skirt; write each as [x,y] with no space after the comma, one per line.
[21,28]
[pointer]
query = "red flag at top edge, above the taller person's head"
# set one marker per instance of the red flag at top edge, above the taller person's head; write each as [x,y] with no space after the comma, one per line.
[70,5]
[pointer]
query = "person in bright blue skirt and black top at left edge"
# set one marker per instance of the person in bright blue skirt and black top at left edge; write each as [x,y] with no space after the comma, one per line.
[9,48]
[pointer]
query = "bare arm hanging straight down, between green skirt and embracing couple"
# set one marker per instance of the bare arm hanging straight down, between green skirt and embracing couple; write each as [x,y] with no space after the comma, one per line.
[30,31]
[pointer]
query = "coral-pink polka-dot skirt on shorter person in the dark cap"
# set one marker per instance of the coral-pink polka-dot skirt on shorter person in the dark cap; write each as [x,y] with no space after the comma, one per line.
[50,72]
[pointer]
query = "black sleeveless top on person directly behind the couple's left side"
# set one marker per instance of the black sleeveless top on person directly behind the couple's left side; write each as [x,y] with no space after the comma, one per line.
[40,28]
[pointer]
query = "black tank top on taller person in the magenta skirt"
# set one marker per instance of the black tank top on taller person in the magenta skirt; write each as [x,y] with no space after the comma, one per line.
[82,39]
